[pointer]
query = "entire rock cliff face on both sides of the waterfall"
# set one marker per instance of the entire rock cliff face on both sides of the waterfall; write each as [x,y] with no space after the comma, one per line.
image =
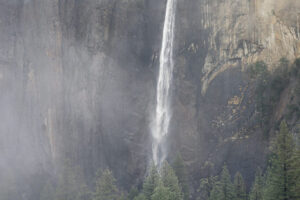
[78,80]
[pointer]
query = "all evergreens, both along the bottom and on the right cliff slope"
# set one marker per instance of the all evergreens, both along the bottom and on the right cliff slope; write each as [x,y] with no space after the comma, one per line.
[280,180]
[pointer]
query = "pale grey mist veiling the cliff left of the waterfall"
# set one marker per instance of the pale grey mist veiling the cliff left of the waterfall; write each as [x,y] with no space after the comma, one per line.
[70,89]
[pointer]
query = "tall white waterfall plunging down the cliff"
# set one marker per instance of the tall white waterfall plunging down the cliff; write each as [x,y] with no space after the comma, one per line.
[163,113]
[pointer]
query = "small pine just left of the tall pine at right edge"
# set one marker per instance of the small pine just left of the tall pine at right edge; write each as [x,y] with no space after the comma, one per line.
[256,192]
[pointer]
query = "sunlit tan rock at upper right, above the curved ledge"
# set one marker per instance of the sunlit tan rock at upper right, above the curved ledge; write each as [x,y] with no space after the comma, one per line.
[243,32]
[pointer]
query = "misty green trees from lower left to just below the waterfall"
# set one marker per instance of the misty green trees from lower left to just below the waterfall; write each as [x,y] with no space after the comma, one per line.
[162,185]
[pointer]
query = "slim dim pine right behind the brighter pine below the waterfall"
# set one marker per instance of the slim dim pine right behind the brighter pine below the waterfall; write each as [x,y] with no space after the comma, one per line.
[180,171]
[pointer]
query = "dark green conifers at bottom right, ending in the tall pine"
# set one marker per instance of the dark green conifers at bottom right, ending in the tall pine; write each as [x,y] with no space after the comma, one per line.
[281,180]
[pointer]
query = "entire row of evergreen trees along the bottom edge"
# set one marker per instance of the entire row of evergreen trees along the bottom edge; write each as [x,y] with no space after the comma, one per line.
[280,181]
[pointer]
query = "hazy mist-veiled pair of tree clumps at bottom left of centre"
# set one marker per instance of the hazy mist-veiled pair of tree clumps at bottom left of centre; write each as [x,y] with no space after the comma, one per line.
[71,186]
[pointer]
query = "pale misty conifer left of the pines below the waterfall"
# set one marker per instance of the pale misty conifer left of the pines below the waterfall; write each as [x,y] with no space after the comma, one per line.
[106,188]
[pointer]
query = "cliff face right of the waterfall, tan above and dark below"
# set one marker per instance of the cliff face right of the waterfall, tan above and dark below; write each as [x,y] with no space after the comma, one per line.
[213,105]
